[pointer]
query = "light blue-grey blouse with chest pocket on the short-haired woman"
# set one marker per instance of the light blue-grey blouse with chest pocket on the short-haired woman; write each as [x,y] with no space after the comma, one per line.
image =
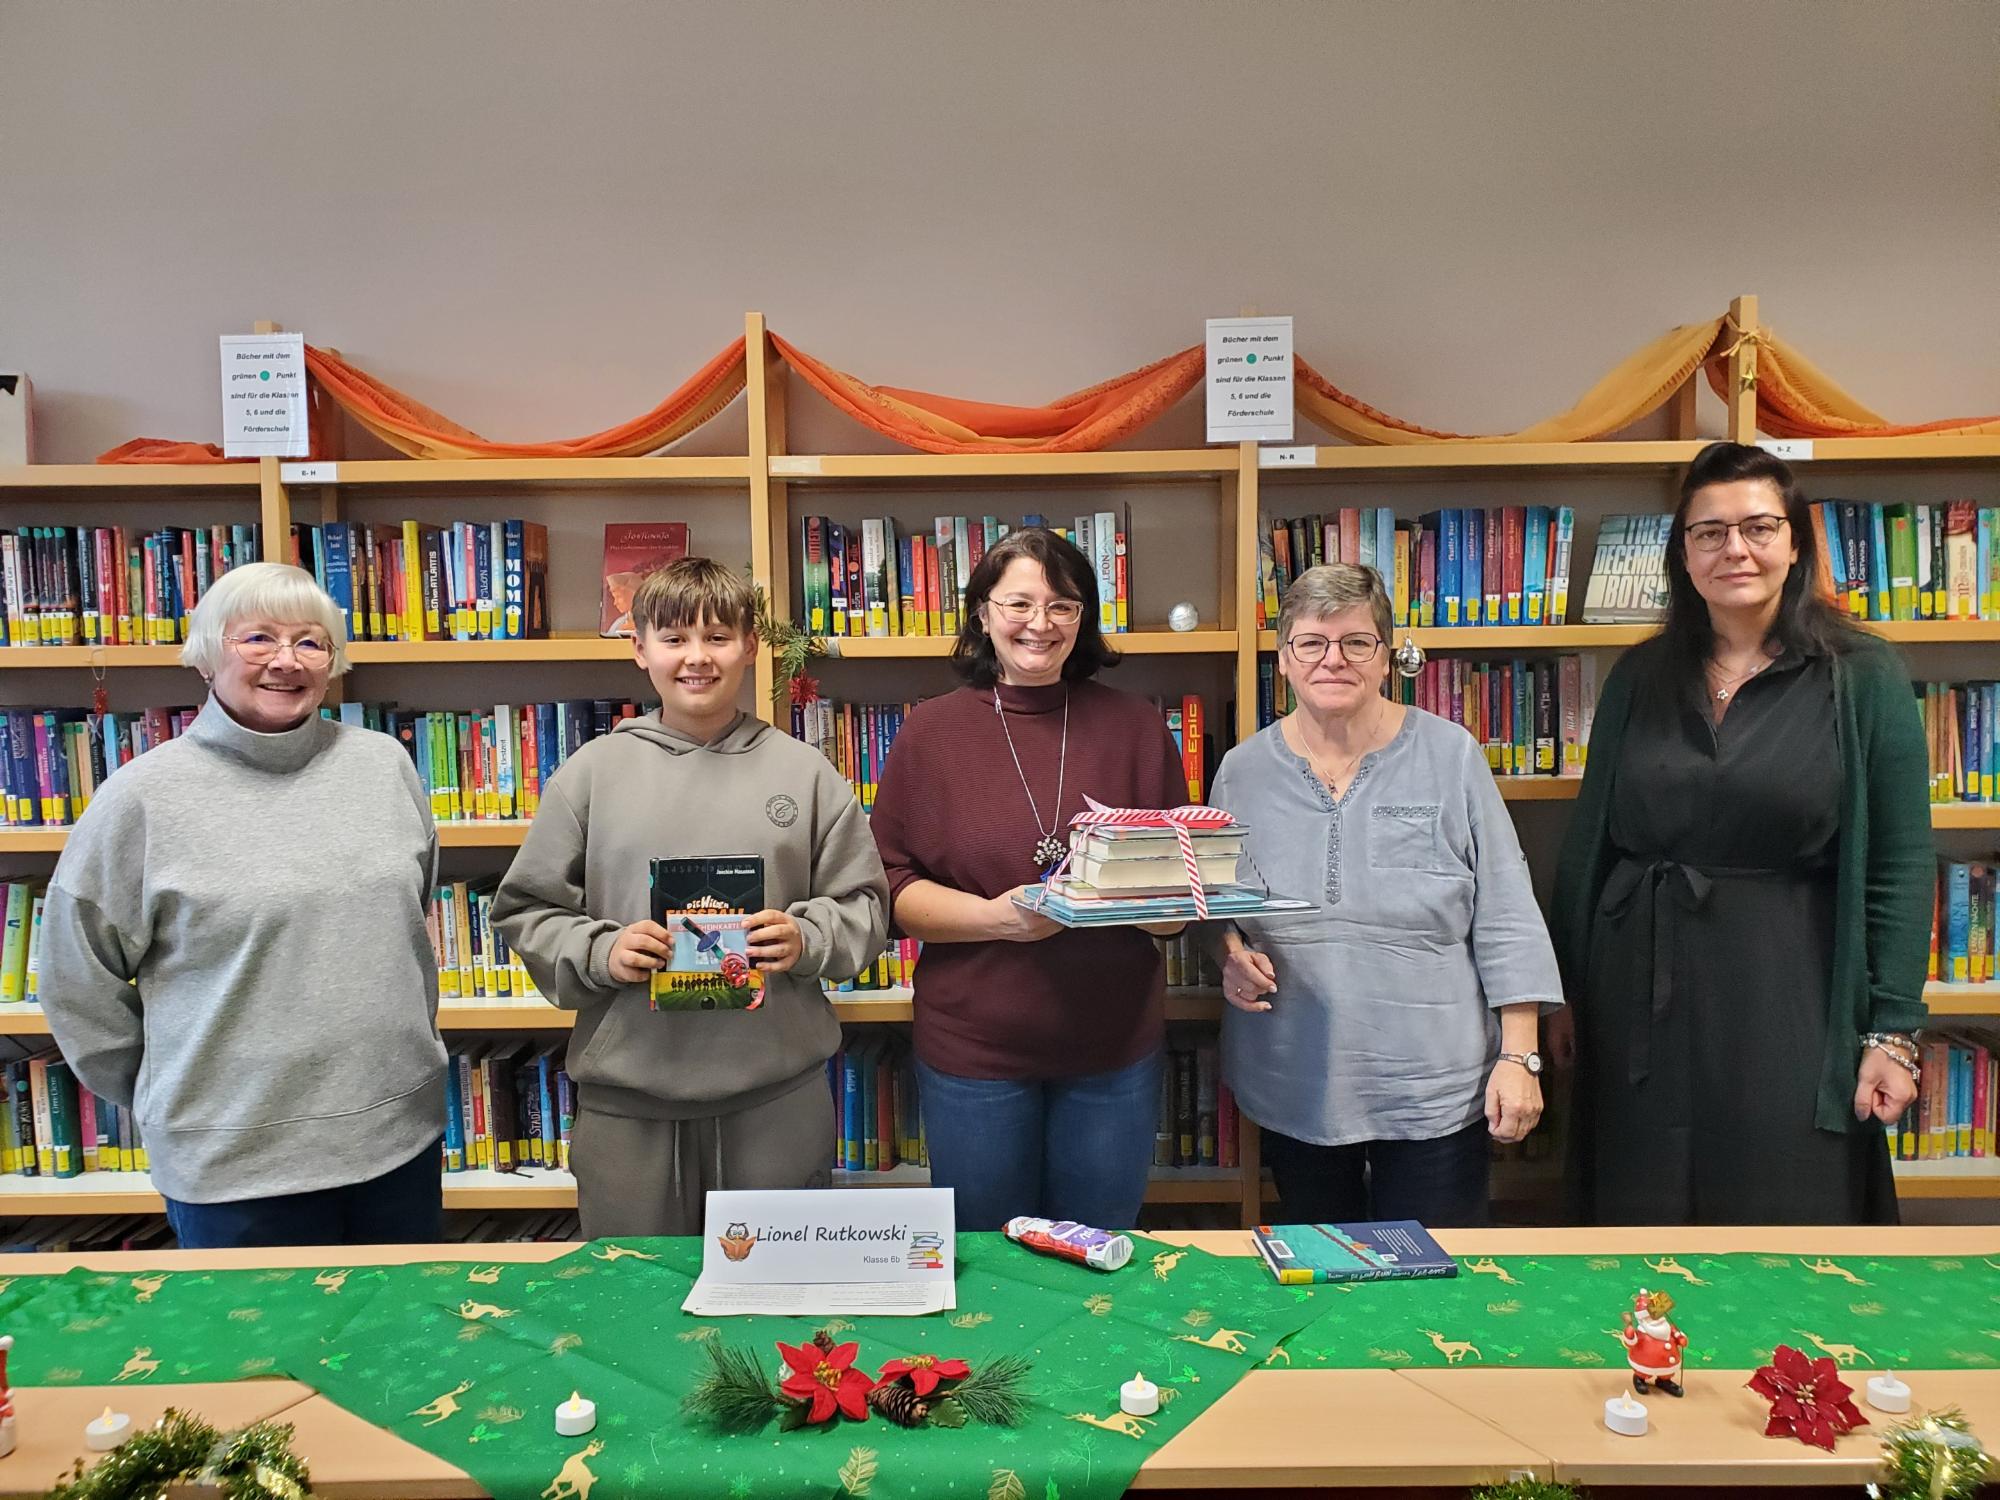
[1383,1021]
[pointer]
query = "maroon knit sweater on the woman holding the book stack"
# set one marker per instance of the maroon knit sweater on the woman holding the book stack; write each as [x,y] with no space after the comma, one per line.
[953,809]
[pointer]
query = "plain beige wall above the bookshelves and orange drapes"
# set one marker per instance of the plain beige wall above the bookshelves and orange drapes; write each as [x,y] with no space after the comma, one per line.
[539,217]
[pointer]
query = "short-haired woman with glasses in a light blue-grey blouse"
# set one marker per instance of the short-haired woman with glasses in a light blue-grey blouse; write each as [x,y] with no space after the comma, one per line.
[1385,1037]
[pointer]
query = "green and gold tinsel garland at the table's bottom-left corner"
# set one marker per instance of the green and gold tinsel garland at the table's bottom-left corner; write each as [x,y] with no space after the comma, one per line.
[257,1463]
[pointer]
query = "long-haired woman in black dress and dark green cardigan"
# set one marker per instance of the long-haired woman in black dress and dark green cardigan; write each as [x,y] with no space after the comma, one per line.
[1743,907]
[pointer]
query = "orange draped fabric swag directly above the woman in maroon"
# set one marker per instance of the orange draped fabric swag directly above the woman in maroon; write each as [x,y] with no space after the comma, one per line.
[947,425]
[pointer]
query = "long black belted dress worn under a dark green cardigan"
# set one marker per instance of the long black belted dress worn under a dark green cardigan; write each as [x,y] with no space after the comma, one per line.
[1711,969]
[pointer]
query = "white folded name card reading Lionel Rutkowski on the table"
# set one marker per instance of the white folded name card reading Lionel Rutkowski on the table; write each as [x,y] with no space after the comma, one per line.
[817,1253]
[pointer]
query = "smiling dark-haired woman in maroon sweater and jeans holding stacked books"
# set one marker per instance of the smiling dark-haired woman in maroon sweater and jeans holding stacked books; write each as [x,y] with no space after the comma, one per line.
[1039,1051]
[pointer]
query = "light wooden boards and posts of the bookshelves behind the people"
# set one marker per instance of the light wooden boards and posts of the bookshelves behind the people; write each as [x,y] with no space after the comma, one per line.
[773,485]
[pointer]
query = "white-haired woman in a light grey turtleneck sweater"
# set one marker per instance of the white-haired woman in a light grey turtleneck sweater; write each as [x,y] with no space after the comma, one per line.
[235,945]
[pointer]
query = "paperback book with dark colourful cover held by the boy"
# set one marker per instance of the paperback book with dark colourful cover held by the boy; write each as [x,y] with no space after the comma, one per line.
[707,905]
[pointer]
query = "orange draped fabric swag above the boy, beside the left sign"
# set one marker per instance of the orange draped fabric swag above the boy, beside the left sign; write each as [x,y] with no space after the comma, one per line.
[411,427]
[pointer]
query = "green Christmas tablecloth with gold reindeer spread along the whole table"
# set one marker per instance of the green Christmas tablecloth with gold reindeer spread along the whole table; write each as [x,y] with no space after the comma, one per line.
[469,1361]
